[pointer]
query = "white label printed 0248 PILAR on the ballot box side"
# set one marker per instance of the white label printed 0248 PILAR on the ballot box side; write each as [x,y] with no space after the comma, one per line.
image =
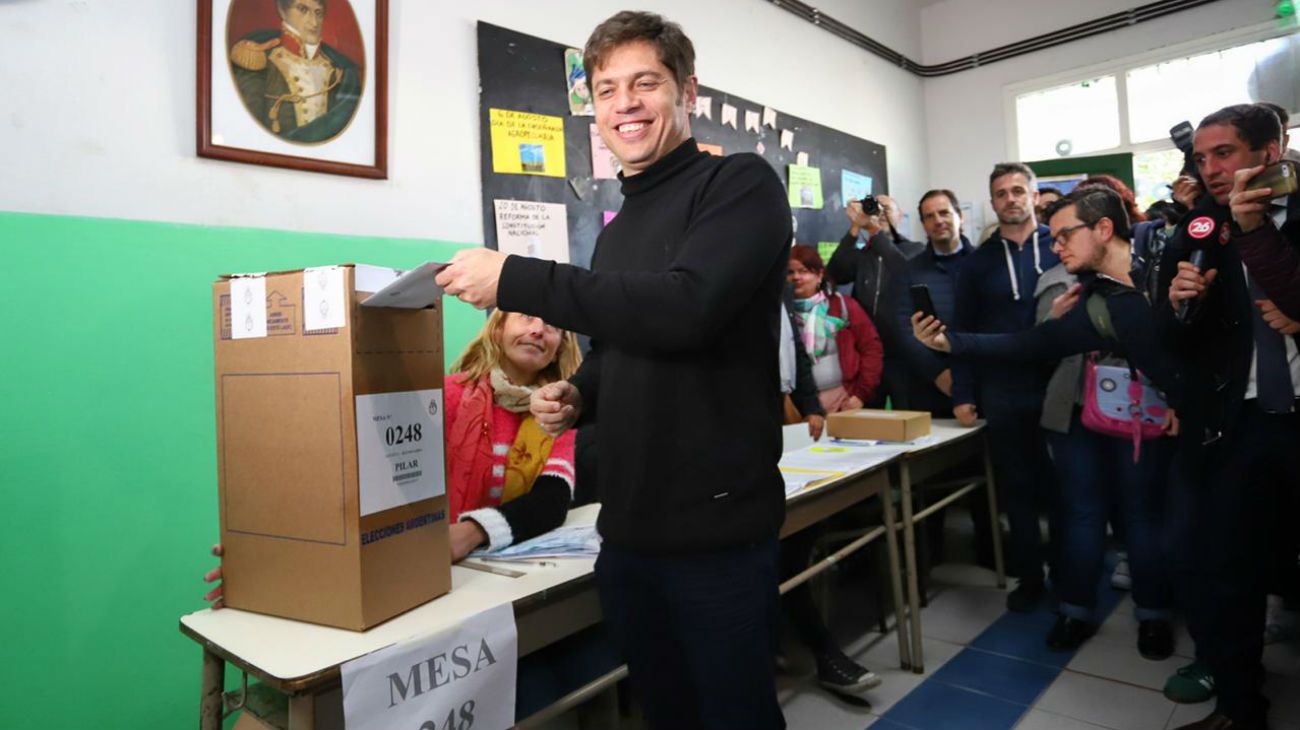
[400,449]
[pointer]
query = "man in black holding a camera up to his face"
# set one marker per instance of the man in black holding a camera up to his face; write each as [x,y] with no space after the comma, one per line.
[873,255]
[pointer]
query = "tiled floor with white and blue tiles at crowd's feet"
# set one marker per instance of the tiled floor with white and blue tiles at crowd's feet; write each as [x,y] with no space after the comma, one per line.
[987,670]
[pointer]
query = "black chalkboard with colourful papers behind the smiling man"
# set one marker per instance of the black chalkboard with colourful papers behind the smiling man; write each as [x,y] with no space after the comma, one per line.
[523,73]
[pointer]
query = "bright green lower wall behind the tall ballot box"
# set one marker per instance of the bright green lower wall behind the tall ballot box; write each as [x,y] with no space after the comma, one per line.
[109,454]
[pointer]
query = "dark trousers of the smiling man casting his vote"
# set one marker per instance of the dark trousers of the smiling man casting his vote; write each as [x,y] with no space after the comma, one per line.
[699,632]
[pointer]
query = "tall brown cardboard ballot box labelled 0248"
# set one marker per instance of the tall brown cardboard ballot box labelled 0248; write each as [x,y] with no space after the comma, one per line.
[330,447]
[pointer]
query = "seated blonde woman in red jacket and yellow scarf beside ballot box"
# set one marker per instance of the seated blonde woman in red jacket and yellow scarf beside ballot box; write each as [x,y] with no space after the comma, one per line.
[506,480]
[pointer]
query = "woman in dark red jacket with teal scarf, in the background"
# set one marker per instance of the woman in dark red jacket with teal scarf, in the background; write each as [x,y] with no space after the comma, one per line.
[848,358]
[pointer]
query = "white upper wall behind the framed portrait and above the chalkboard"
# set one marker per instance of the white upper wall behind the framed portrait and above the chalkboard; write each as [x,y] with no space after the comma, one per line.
[103,114]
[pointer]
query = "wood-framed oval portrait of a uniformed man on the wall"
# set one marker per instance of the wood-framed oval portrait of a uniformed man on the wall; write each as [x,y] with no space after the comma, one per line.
[296,84]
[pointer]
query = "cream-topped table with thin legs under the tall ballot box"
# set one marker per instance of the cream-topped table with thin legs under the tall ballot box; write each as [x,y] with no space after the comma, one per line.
[302,661]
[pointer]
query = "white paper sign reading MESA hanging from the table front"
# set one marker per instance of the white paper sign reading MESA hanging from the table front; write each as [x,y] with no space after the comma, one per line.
[461,679]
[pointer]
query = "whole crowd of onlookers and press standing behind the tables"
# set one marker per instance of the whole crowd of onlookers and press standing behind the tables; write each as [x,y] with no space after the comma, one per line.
[1132,394]
